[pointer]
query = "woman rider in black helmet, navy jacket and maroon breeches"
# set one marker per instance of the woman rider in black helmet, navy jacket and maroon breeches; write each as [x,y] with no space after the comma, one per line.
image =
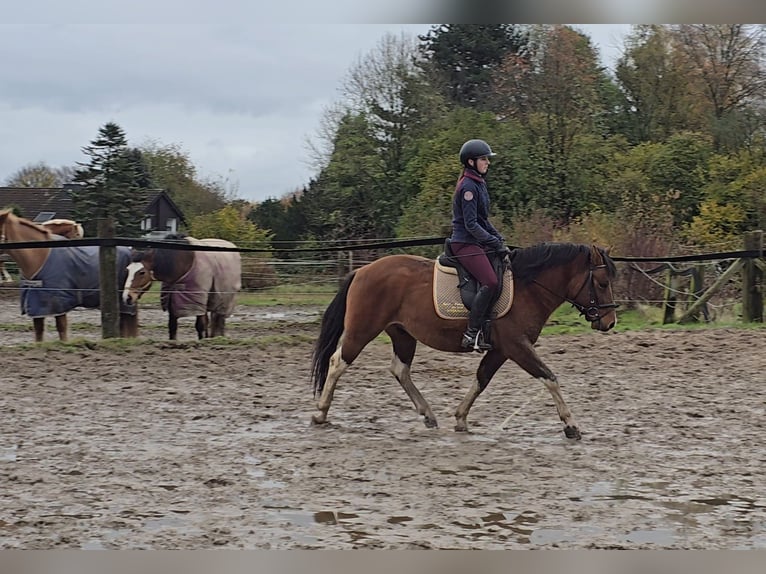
[474,237]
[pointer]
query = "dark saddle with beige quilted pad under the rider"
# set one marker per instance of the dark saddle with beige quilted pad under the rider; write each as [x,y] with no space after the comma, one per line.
[455,288]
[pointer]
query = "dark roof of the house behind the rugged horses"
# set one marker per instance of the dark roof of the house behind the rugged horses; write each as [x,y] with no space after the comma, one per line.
[43,203]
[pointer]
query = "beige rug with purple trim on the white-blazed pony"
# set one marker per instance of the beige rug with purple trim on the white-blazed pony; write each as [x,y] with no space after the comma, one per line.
[210,284]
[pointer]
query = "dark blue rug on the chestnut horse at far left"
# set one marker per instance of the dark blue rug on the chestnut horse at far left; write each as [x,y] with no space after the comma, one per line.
[69,278]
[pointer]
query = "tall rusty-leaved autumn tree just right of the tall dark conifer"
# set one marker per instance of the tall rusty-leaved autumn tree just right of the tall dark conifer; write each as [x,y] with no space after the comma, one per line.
[555,95]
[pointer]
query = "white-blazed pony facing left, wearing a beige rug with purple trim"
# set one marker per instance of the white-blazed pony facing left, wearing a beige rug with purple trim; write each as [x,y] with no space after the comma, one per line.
[194,282]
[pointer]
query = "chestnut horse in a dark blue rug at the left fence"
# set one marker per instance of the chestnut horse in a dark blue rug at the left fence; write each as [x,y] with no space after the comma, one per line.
[56,280]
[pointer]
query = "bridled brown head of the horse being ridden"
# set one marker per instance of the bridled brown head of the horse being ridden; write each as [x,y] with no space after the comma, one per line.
[594,298]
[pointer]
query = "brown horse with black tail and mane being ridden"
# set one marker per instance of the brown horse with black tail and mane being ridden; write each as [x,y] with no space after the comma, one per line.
[395,294]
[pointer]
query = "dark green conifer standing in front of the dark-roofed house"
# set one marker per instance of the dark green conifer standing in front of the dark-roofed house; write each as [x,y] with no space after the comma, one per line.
[109,184]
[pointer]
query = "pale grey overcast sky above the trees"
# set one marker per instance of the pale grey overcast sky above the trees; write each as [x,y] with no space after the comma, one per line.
[241,99]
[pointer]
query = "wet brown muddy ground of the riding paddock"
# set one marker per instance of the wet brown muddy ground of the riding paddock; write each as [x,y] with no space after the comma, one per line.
[188,446]
